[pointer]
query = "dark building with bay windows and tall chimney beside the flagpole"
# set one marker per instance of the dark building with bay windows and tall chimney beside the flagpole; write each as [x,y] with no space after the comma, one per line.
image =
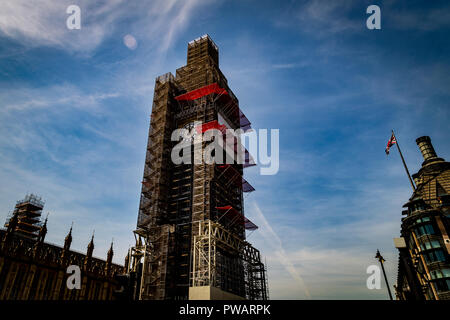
[424,246]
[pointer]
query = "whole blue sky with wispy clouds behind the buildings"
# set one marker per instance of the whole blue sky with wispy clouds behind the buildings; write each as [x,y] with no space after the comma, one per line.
[75,106]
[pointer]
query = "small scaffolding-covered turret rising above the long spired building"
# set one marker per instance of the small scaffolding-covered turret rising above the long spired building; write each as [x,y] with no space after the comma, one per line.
[28,213]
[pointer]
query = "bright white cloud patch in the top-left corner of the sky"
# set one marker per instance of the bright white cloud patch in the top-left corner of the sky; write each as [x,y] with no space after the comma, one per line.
[44,23]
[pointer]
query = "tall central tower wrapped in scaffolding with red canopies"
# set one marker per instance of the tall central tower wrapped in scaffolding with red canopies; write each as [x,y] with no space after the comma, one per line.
[191,229]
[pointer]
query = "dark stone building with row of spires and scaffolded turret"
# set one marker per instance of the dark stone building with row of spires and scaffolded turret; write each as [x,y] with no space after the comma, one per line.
[31,269]
